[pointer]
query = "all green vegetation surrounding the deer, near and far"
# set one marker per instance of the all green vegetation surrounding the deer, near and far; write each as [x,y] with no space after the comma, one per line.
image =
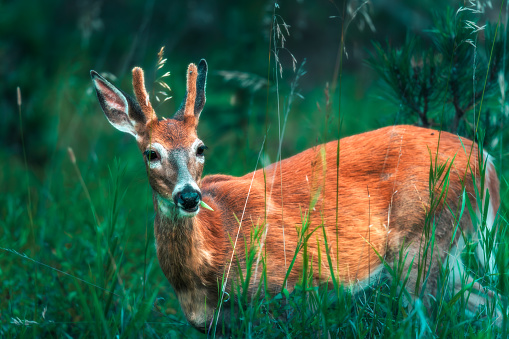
[76,239]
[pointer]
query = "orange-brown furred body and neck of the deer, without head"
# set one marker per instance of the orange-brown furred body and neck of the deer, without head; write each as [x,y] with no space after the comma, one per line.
[393,163]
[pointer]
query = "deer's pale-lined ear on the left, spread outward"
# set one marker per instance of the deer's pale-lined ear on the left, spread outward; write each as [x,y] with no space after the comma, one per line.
[120,109]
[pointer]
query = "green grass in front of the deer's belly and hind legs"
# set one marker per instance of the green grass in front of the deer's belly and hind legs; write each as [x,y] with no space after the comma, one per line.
[385,308]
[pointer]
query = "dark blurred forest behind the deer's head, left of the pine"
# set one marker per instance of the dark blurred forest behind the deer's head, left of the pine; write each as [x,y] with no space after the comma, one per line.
[47,49]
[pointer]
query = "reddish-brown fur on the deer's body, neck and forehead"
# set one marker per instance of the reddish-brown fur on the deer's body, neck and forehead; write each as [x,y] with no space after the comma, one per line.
[381,191]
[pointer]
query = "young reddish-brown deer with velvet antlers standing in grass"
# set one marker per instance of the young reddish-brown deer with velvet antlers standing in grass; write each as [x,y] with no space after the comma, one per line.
[369,202]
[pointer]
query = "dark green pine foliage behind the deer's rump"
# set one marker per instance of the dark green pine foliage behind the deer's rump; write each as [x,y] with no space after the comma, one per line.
[439,84]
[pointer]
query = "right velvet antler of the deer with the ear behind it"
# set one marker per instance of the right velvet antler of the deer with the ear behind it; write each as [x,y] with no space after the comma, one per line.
[194,100]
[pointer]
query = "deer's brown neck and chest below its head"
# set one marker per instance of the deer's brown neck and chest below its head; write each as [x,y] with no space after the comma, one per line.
[188,255]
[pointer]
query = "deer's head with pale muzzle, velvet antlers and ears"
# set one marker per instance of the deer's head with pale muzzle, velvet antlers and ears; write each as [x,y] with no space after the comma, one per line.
[173,154]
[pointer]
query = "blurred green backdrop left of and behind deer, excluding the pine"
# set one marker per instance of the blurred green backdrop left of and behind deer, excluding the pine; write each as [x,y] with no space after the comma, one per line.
[94,219]
